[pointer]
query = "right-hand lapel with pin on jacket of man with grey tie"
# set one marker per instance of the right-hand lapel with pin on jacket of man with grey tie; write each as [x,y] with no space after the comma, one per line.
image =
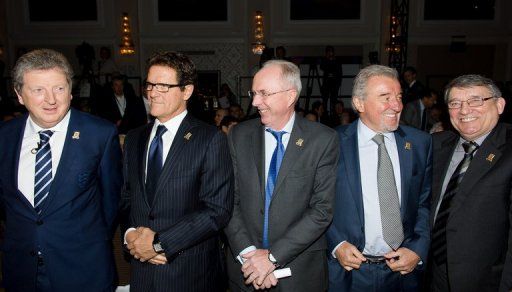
[404,148]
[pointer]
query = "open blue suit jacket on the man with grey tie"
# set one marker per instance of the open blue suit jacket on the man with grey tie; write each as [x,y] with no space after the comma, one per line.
[415,154]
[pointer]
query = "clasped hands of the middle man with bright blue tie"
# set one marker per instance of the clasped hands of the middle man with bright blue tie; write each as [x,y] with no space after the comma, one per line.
[257,267]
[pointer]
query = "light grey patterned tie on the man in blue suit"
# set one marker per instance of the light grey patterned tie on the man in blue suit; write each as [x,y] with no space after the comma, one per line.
[392,228]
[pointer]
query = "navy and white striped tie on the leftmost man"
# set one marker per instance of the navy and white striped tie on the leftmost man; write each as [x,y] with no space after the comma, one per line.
[43,170]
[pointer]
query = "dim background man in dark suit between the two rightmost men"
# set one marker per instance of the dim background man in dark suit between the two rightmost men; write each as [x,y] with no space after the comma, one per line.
[416,113]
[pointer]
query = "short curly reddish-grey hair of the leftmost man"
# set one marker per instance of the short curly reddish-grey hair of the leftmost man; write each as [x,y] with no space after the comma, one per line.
[40,59]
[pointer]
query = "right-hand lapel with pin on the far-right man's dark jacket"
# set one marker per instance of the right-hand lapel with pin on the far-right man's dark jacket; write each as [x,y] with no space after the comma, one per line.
[485,158]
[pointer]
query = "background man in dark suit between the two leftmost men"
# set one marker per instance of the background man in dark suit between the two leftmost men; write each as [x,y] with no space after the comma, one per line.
[121,106]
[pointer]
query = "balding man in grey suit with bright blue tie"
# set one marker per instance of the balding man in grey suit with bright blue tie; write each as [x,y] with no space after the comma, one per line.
[284,186]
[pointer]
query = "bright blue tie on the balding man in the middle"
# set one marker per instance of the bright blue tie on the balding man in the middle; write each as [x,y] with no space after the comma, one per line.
[273,170]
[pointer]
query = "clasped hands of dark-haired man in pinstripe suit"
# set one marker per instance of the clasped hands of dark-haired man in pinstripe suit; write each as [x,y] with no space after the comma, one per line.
[140,244]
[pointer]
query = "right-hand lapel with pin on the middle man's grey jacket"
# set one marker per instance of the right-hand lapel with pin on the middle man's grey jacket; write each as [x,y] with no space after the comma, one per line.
[292,153]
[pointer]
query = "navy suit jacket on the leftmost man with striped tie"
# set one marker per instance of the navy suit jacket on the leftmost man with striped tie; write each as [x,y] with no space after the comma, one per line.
[74,229]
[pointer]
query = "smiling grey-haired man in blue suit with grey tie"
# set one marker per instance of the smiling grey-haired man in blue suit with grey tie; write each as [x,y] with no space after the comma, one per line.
[379,236]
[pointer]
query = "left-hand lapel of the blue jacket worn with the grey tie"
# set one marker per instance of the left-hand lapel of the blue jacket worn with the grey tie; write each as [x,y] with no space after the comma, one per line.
[350,154]
